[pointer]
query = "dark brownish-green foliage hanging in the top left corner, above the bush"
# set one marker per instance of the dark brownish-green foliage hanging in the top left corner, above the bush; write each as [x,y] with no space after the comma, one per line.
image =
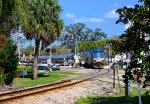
[7,21]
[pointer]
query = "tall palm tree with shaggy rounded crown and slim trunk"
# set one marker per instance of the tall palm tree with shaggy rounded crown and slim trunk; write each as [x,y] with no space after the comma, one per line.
[40,20]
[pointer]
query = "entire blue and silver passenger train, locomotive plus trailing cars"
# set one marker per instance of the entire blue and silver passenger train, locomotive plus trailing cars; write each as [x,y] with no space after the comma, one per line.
[93,58]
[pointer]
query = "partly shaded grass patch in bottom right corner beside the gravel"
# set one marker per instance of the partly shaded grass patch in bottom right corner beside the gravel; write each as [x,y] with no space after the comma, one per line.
[116,98]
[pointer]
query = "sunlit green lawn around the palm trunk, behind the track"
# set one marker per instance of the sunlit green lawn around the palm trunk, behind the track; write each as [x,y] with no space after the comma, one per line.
[43,78]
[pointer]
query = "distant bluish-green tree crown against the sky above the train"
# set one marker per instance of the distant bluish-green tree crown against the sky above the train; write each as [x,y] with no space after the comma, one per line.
[75,33]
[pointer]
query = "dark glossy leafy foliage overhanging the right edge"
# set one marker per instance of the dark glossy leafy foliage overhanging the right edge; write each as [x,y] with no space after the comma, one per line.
[139,19]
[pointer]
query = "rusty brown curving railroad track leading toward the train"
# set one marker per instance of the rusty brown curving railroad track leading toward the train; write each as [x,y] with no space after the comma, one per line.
[47,87]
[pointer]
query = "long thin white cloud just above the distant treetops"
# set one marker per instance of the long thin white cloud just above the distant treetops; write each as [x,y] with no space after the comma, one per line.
[86,19]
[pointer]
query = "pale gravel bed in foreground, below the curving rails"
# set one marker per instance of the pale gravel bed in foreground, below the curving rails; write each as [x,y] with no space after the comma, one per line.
[93,87]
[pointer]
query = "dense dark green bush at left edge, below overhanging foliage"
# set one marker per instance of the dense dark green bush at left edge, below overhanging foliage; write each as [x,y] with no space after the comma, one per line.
[8,61]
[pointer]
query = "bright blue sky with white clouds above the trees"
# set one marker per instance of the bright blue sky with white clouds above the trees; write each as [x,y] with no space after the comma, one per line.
[95,13]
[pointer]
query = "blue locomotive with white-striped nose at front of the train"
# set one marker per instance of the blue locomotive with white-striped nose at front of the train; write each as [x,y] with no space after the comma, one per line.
[93,58]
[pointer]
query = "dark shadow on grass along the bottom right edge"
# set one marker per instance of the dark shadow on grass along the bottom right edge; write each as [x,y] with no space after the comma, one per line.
[119,100]
